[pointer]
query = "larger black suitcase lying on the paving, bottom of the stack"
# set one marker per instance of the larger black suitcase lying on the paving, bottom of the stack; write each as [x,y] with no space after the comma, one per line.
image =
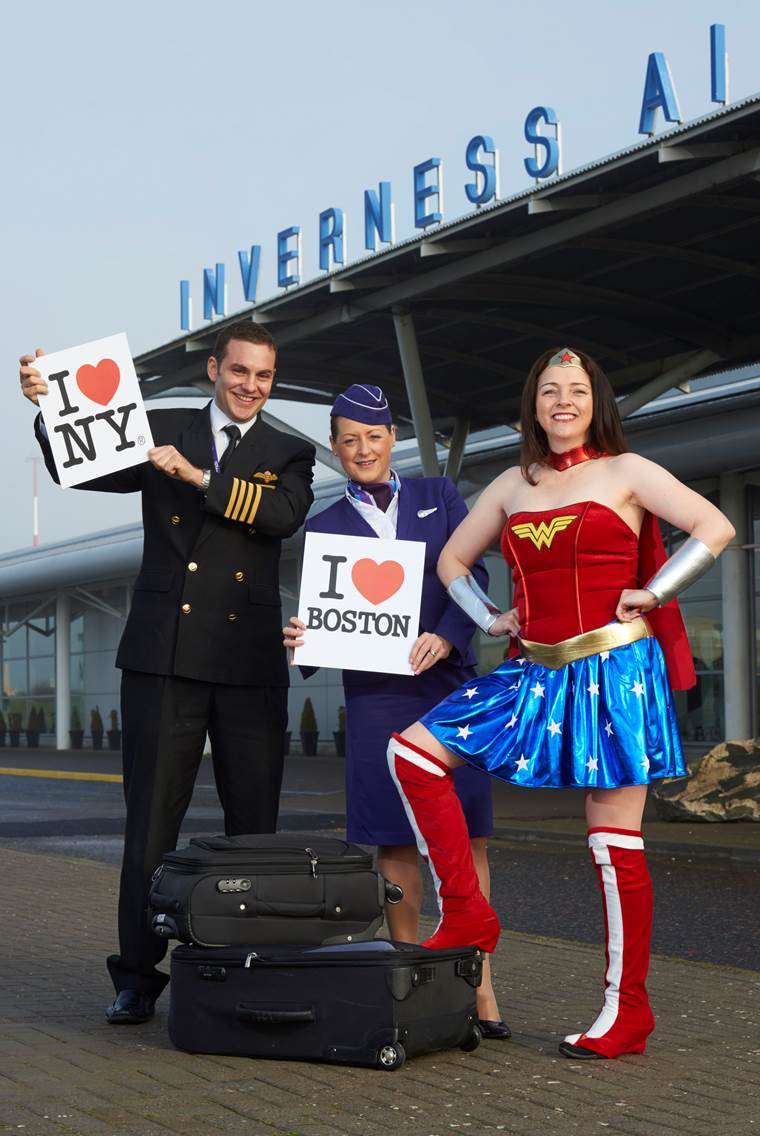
[370,1005]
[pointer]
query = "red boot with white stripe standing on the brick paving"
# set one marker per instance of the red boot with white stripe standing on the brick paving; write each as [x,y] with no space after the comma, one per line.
[627,1018]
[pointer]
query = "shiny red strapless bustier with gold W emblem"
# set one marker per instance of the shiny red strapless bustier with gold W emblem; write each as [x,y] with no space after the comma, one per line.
[570,566]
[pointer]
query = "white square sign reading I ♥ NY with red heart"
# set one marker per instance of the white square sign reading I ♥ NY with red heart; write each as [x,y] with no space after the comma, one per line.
[94,412]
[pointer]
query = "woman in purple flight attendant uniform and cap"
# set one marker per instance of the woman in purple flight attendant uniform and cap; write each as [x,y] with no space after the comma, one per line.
[378,503]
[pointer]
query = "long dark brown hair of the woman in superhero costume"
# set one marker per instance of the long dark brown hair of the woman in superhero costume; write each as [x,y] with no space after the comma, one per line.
[606,432]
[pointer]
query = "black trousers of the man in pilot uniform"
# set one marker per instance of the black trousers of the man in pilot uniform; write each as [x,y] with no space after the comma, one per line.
[165,722]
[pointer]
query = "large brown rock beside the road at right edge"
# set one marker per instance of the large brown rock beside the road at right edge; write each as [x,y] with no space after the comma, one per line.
[724,786]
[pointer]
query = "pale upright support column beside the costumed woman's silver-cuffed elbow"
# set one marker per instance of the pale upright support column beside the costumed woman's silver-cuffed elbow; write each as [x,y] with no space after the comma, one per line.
[737,615]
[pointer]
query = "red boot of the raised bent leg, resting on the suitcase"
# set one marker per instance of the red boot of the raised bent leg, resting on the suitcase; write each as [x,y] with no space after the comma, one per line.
[436,814]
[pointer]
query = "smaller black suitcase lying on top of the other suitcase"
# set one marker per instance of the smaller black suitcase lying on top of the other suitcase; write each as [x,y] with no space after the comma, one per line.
[274,889]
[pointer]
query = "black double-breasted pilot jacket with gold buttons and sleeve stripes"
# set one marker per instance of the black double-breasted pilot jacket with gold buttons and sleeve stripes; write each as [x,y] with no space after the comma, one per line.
[206,603]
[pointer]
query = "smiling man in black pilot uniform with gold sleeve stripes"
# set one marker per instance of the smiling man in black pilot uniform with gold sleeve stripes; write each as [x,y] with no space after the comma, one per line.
[203,648]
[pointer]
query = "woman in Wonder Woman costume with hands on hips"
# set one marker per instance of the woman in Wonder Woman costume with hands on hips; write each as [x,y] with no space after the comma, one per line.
[584,698]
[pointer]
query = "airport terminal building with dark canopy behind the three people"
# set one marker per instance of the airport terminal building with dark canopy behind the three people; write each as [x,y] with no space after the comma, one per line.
[645,260]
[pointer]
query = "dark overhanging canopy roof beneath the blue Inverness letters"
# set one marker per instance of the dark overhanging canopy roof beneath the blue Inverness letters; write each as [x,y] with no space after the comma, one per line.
[647,260]
